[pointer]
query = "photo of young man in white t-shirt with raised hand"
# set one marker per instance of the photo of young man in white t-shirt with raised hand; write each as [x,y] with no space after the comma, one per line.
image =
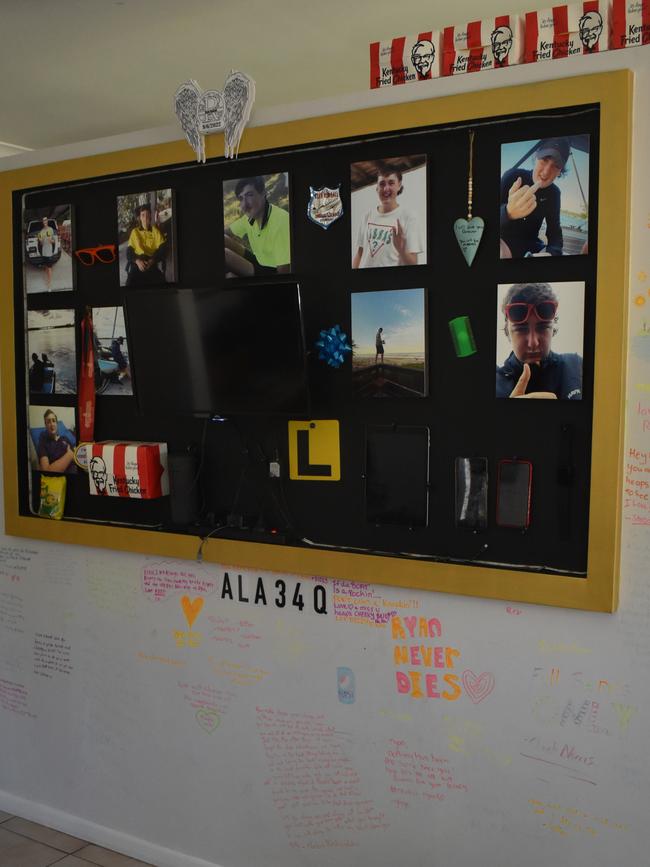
[390,232]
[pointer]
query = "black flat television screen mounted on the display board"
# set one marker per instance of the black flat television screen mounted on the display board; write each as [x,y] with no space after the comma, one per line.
[212,352]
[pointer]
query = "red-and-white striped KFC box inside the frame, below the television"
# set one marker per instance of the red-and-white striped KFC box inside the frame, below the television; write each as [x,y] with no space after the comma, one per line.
[134,470]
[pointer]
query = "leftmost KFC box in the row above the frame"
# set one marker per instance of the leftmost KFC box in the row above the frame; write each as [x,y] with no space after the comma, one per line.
[405,59]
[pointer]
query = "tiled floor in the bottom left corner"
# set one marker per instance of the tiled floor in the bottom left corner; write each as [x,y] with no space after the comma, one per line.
[26,844]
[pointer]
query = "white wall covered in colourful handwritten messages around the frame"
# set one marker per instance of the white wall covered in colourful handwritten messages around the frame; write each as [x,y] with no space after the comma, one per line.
[252,748]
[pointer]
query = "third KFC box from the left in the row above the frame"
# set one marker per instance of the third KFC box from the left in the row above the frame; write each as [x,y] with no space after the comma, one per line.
[566,31]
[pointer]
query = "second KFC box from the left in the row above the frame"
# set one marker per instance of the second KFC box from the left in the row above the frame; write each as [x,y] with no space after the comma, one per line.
[492,43]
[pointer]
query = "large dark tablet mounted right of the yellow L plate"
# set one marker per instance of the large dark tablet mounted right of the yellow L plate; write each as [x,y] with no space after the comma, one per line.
[397,475]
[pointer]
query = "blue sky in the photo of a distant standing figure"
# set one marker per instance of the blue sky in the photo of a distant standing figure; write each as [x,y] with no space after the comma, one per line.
[400,312]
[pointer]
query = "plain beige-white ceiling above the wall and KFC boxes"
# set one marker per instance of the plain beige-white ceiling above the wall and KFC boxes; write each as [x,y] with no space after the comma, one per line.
[74,70]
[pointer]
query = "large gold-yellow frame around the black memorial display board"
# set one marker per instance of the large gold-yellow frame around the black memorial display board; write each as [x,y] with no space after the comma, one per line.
[599,590]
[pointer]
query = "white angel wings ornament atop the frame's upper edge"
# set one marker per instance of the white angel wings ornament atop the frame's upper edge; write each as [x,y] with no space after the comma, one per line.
[203,112]
